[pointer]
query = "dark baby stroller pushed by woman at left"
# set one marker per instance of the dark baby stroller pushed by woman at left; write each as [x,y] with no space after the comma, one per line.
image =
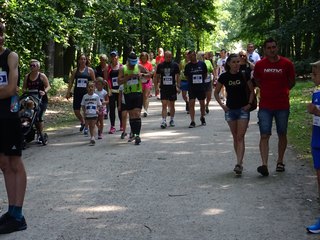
[30,103]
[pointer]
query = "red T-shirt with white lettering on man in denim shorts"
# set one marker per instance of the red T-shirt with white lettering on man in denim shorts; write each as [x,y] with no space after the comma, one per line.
[274,83]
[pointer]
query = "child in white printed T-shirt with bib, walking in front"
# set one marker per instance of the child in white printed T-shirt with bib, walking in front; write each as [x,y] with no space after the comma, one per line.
[90,104]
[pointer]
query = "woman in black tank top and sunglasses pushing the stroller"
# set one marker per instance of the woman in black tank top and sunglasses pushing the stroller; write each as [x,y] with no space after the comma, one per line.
[36,80]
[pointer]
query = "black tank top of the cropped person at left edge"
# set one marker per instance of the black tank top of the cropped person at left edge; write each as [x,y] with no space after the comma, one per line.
[4,78]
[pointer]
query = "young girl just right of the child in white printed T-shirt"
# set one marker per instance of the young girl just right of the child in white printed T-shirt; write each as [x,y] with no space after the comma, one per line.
[104,98]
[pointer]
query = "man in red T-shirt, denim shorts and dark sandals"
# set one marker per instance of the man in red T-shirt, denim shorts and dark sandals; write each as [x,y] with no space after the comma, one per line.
[275,76]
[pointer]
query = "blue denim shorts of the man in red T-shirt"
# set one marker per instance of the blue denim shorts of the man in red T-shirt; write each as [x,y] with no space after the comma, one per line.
[266,116]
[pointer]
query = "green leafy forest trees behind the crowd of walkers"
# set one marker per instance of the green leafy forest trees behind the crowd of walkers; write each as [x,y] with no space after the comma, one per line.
[56,32]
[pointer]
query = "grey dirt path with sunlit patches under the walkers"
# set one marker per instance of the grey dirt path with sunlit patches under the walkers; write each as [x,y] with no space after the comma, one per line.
[177,185]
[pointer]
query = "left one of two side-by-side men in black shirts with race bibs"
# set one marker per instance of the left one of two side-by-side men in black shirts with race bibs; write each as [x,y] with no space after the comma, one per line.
[168,76]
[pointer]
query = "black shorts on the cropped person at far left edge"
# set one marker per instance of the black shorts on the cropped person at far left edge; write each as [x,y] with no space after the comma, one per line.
[10,137]
